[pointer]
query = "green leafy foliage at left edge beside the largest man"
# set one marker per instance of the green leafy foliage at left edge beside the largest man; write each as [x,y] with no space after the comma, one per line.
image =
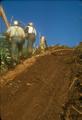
[5,56]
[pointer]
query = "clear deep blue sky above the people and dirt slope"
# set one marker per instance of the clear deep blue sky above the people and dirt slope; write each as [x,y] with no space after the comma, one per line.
[60,21]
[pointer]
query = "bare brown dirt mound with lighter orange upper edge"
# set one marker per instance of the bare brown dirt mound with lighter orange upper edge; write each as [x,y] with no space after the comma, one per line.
[37,88]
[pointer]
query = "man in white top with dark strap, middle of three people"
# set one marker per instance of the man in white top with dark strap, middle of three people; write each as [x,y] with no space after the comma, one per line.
[30,36]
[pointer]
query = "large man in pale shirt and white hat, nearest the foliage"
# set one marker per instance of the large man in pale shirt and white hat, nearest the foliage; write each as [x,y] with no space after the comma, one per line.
[16,36]
